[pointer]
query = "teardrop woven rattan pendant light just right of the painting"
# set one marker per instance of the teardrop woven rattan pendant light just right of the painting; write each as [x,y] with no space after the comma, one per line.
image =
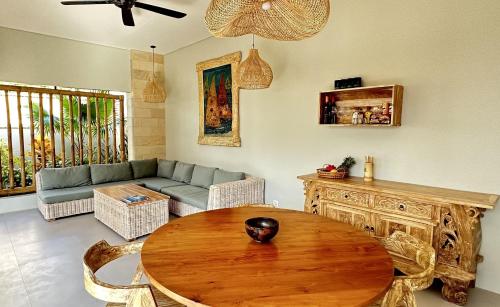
[254,73]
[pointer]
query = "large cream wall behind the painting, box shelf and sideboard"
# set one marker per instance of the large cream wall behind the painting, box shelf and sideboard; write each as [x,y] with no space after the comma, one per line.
[445,53]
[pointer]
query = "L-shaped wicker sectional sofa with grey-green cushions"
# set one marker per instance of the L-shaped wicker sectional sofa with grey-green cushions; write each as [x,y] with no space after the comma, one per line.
[192,188]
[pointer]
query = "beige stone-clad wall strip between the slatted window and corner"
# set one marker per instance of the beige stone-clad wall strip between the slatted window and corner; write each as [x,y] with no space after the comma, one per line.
[146,120]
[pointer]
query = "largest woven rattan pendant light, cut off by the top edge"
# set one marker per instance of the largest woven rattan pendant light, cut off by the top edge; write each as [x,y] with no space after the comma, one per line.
[286,20]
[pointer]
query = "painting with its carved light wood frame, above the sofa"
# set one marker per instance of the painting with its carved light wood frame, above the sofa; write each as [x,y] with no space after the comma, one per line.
[219,101]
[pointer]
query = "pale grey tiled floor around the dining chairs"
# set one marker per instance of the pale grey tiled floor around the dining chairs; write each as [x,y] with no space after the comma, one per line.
[40,263]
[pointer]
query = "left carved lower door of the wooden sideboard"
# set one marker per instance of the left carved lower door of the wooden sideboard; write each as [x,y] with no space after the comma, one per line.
[360,219]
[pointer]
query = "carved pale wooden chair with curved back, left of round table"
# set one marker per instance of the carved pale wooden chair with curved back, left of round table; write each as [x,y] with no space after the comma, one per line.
[134,295]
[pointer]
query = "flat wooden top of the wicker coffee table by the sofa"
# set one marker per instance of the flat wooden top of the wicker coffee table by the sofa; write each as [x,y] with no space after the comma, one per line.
[119,192]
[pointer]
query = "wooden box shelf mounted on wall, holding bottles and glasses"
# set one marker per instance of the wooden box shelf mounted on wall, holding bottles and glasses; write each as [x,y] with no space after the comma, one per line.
[373,106]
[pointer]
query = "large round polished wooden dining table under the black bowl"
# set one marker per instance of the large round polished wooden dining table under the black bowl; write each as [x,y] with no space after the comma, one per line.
[208,259]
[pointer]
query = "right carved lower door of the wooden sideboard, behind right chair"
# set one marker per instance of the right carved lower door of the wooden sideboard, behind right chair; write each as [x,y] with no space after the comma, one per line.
[386,225]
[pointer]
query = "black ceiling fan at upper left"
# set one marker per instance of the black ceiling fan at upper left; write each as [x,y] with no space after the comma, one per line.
[126,7]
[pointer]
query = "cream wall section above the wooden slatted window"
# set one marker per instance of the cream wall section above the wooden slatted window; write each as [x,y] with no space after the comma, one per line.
[45,60]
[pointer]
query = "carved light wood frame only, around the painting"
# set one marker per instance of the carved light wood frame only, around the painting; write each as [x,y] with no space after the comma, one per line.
[232,140]
